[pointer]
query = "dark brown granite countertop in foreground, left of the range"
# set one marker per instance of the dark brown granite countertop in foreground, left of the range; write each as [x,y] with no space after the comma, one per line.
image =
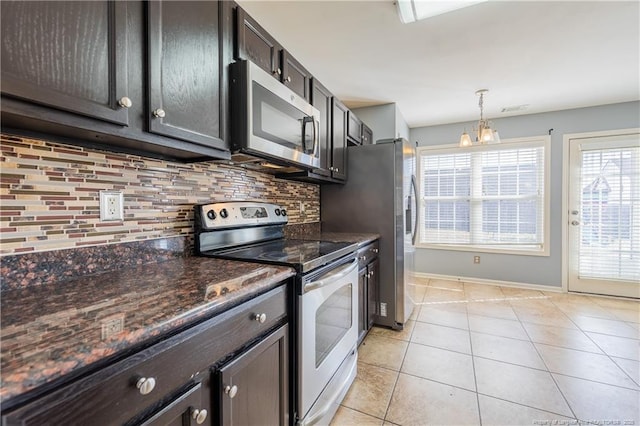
[52,330]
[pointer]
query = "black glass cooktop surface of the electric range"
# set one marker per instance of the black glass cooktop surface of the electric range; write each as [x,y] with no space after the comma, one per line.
[303,255]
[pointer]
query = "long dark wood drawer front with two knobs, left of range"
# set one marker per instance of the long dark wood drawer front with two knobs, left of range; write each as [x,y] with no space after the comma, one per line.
[112,395]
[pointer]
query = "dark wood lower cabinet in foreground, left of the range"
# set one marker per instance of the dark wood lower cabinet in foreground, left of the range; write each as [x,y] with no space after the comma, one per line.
[179,383]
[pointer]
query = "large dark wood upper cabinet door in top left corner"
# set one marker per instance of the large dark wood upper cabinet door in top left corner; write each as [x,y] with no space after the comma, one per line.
[67,55]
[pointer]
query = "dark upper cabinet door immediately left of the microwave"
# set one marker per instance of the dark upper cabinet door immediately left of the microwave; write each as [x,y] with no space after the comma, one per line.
[185,71]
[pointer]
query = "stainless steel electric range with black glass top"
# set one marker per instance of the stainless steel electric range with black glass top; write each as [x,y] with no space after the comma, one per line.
[326,295]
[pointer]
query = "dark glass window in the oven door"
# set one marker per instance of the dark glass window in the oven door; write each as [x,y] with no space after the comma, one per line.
[333,320]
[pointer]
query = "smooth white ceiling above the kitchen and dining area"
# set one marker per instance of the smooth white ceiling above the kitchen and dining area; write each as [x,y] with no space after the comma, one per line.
[549,55]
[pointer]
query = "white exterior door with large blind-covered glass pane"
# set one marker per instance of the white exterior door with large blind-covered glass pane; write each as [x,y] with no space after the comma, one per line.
[604,215]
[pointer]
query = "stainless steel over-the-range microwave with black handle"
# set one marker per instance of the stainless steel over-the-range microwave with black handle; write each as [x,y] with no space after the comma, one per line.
[270,121]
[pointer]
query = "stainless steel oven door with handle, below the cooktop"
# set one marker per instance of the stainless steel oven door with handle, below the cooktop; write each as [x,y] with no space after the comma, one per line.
[328,309]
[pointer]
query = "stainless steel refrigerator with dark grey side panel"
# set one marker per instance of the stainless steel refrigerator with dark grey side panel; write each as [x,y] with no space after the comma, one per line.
[380,196]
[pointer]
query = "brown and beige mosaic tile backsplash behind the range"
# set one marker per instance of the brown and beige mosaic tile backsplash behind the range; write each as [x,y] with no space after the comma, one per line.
[49,195]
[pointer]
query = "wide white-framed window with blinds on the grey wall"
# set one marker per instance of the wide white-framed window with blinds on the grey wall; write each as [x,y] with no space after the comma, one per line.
[486,197]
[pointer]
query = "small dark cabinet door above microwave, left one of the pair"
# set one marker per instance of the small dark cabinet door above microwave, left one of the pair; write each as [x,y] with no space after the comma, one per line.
[253,43]
